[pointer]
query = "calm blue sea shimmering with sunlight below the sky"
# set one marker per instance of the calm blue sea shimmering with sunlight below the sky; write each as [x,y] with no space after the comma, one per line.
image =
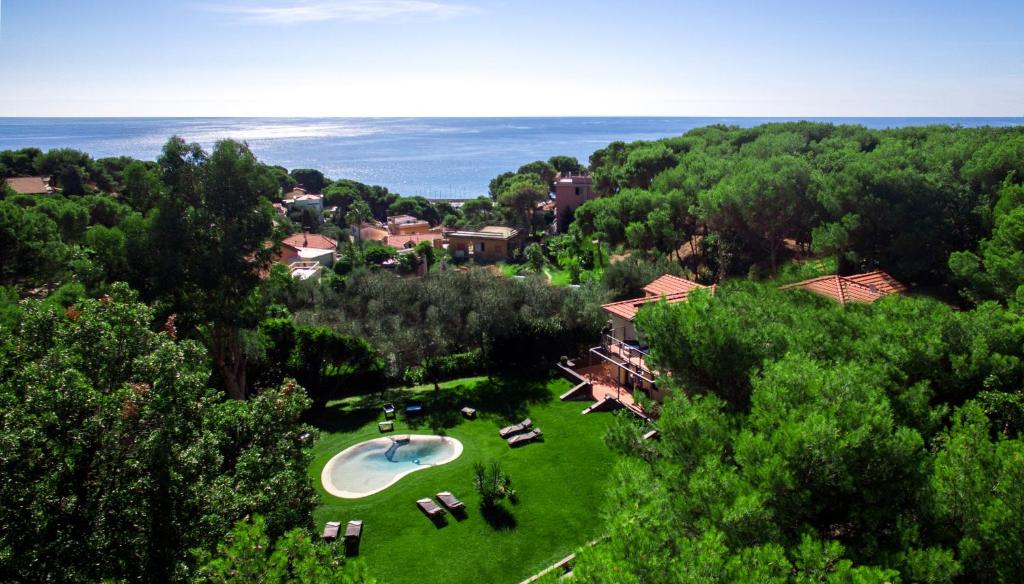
[438,158]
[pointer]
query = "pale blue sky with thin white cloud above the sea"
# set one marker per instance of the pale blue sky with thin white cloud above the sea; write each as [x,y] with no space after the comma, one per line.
[514,58]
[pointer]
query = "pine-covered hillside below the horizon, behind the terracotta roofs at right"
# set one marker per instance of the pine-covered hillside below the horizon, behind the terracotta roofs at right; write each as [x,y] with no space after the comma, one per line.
[903,200]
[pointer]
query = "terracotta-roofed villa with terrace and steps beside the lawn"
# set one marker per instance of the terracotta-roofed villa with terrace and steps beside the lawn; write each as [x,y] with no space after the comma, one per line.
[614,371]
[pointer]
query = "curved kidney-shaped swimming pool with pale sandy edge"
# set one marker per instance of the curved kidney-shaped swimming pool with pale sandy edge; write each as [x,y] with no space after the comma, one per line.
[374,466]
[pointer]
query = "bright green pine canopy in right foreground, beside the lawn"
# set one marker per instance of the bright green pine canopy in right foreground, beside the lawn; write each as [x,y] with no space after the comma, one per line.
[794,444]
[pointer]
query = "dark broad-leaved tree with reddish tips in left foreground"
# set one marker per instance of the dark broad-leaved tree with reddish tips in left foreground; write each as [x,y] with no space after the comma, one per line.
[118,460]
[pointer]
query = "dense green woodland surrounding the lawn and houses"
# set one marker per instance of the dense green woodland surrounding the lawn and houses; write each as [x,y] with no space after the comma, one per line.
[156,367]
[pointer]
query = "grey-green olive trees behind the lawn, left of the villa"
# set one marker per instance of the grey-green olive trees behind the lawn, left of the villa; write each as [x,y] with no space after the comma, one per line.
[515,324]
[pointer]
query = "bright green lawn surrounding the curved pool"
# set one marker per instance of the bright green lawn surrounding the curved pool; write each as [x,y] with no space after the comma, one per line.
[561,483]
